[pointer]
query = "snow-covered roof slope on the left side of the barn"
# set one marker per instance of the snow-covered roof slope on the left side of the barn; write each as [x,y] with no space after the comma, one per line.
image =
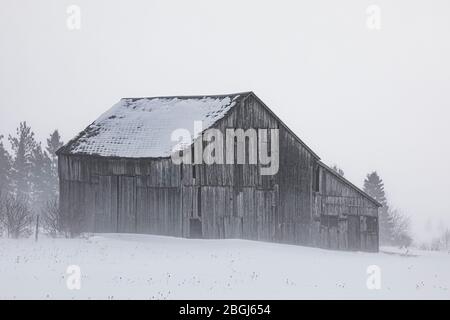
[142,127]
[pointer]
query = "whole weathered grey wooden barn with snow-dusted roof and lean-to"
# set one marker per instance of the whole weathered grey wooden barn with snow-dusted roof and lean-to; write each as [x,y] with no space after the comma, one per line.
[118,176]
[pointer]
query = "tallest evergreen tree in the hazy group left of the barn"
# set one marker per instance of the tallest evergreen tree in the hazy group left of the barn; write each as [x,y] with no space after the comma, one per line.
[22,145]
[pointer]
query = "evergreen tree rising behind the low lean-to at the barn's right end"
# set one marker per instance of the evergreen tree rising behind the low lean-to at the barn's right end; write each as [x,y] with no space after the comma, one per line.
[374,186]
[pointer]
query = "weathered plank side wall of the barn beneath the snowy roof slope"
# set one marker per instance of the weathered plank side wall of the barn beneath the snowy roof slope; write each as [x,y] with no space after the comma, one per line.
[122,195]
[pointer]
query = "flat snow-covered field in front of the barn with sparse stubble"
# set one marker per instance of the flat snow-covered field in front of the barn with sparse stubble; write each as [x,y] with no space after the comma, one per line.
[152,267]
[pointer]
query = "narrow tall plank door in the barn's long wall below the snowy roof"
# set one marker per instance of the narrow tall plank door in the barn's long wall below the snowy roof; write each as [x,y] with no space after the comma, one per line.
[127,205]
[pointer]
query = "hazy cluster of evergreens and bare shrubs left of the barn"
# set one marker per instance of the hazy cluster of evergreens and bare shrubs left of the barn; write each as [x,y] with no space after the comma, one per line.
[28,181]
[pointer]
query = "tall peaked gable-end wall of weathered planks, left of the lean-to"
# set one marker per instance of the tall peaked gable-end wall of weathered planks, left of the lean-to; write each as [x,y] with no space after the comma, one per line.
[242,203]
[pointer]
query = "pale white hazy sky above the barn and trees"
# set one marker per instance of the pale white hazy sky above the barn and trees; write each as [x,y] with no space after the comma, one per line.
[363,99]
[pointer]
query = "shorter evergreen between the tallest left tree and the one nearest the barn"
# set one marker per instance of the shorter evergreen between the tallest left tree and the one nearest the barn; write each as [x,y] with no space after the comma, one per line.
[41,177]
